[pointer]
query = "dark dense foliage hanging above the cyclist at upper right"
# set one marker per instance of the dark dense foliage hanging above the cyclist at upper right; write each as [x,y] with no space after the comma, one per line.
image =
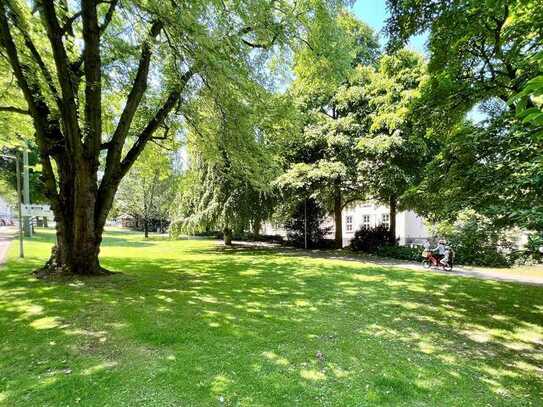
[482,56]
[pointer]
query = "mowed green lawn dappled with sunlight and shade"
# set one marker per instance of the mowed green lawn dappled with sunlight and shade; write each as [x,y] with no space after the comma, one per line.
[186,323]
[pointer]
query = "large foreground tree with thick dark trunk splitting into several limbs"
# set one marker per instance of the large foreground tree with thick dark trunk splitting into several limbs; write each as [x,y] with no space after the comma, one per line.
[102,79]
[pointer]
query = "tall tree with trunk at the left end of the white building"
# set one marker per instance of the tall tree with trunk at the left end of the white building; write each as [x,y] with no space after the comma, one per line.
[321,160]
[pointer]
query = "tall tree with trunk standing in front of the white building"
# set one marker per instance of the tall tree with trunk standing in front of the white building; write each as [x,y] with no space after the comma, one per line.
[392,152]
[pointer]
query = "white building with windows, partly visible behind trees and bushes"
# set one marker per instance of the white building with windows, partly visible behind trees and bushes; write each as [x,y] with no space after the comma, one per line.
[410,227]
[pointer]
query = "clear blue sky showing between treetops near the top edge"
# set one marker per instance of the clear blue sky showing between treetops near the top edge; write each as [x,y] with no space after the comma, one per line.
[374,13]
